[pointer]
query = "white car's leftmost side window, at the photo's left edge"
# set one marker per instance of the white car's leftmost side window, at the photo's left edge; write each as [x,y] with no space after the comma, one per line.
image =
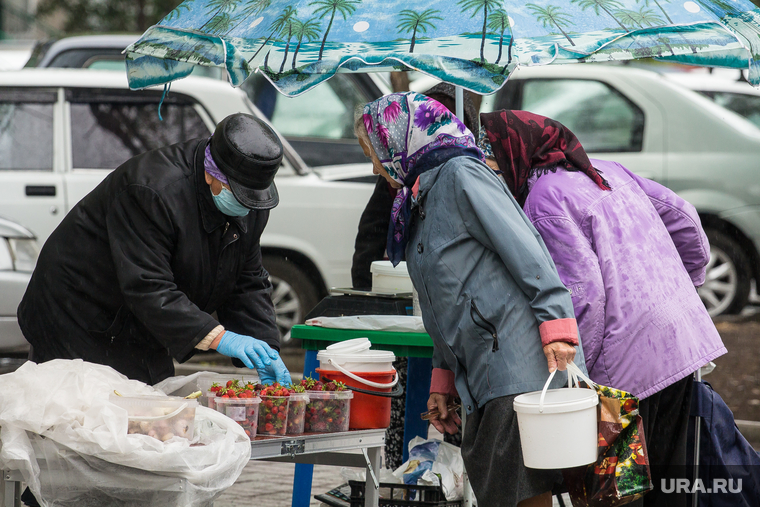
[26,129]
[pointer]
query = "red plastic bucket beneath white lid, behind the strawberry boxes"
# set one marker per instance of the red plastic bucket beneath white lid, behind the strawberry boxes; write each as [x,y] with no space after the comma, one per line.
[367,411]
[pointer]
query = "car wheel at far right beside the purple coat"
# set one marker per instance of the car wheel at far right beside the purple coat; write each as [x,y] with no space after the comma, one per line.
[727,282]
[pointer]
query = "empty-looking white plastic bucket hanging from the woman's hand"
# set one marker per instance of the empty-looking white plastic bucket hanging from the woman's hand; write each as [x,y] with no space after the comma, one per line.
[558,427]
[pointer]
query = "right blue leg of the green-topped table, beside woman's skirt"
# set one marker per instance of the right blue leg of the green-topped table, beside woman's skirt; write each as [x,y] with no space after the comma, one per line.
[417,393]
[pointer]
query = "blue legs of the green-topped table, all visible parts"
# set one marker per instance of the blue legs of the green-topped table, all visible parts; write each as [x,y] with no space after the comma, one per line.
[417,393]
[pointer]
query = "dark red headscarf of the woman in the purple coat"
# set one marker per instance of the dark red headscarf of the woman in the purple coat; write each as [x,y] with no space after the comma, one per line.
[524,143]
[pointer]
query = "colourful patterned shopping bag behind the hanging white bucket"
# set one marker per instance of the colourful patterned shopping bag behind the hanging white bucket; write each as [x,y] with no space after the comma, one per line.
[621,473]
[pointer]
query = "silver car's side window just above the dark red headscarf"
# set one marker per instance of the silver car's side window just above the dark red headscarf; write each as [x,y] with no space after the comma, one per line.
[601,118]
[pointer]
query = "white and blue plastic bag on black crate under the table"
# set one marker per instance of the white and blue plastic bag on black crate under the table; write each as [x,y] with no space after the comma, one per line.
[434,463]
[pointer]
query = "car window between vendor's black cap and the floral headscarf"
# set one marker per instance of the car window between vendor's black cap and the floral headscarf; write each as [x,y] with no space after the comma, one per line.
[326,111]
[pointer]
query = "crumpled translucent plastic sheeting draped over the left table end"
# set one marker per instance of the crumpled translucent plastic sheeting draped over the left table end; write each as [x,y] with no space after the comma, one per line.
[72,448]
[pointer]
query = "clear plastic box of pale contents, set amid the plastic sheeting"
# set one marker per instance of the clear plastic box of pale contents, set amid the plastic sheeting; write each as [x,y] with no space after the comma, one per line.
[160,417]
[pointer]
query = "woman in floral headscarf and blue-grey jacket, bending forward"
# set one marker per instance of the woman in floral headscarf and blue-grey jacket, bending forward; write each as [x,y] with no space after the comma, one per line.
[490,295]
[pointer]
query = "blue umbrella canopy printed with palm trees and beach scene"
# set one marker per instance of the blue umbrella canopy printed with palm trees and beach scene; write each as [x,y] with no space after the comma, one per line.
[471,43]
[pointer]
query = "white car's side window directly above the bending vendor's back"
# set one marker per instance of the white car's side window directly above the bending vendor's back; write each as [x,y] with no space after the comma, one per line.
[107,130]
